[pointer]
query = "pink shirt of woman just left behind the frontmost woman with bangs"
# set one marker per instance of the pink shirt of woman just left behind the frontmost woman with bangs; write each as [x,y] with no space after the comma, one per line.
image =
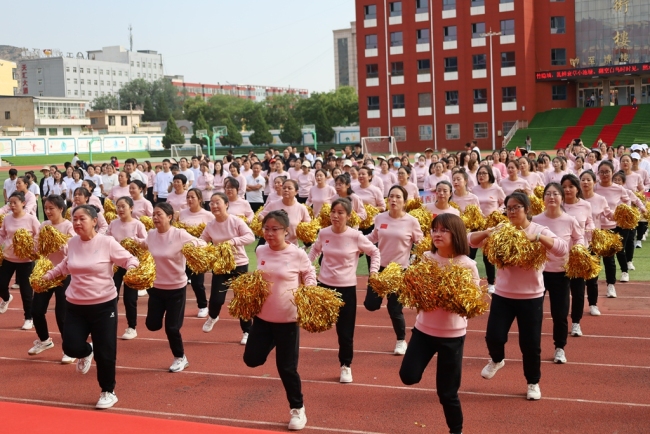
[395,237]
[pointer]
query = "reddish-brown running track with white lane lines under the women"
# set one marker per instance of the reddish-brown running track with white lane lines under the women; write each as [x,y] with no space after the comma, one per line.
[605,387]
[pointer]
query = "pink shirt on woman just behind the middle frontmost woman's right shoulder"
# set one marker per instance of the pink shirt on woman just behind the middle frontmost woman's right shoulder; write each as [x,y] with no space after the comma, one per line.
[341,256]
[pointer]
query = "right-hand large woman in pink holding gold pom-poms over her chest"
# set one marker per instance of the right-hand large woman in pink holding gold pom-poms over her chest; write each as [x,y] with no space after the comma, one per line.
[519,294]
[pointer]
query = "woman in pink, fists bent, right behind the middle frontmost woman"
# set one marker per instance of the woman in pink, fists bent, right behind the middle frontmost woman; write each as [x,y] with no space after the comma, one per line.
[340,246]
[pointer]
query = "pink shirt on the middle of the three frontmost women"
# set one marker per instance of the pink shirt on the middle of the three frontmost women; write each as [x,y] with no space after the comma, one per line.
[285,270]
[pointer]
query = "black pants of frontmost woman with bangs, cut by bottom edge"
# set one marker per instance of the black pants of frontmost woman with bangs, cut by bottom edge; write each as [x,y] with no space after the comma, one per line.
[422,347]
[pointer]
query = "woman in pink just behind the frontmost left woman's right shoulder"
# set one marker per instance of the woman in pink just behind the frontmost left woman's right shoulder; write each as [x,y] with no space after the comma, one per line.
[127,227]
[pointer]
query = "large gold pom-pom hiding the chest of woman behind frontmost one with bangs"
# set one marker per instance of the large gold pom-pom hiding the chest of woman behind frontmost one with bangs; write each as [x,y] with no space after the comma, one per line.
[509,247]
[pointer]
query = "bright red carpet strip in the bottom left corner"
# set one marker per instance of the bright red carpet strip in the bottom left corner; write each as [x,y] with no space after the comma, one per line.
[55,420]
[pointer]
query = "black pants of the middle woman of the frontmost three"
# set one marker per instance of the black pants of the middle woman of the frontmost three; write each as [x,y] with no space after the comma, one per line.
[285,338]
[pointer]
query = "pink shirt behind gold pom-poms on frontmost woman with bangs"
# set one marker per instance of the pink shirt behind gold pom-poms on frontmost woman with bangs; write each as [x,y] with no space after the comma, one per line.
[440,323]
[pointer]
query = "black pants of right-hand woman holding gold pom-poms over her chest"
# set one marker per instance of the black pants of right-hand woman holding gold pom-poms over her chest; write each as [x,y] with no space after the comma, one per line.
[529,314]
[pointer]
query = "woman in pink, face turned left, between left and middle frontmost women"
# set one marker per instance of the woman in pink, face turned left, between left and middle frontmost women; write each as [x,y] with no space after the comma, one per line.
[167,297]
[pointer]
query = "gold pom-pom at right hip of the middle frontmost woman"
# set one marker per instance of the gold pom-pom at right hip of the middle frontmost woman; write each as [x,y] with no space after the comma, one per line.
[318,308]
